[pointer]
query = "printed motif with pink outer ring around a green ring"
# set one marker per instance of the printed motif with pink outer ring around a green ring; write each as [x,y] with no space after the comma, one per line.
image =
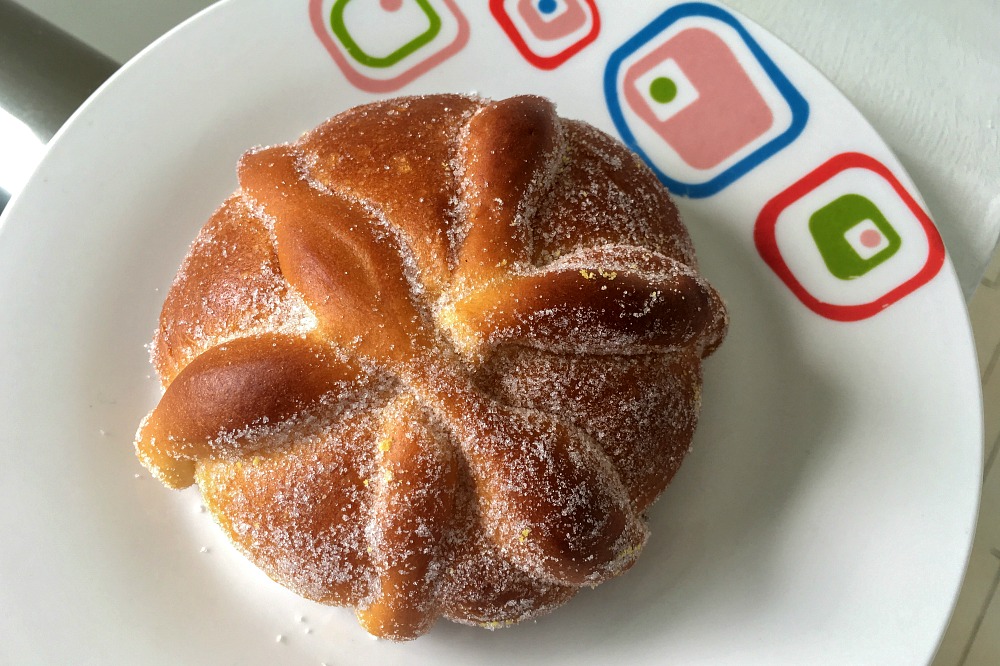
[382,45]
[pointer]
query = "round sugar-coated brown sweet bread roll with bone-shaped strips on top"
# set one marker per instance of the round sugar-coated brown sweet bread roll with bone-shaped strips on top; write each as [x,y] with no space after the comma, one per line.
[435,358]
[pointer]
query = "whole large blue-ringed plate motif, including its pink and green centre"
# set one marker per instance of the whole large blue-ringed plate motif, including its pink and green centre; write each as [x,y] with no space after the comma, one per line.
[696,96]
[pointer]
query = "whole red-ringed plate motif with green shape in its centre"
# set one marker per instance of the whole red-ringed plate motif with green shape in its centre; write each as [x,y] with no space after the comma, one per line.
[848,239]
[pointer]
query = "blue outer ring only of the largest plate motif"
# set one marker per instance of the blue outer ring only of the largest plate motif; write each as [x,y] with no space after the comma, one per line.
[796,102]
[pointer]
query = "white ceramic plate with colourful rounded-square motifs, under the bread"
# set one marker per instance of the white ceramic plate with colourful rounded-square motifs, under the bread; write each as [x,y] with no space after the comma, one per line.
[826,513]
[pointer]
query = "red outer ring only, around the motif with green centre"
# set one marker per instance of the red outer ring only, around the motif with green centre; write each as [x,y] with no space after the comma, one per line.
[765,238]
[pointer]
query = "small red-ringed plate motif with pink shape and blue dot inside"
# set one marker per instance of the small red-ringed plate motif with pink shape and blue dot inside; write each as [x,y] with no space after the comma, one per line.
[548,32]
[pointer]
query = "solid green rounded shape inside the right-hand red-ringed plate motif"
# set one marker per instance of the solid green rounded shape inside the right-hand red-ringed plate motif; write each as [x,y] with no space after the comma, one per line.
[828,227]
